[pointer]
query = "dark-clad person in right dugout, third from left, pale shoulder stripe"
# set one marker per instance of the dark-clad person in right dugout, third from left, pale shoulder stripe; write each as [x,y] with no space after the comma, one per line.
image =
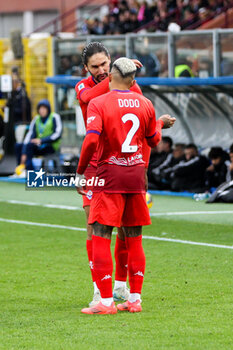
[189,175]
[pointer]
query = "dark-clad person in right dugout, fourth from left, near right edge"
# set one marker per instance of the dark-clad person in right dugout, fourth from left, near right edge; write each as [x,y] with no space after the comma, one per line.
[216,173]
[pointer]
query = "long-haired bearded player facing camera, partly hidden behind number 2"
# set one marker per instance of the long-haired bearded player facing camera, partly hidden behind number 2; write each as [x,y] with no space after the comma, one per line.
[96,60]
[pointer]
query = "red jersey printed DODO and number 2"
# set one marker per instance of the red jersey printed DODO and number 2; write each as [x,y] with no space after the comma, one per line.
[122,119]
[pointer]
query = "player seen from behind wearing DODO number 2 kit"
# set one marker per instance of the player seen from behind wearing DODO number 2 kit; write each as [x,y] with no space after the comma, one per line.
[117,124]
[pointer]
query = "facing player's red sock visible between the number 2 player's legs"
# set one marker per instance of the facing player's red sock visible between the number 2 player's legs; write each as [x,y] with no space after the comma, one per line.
[121,257]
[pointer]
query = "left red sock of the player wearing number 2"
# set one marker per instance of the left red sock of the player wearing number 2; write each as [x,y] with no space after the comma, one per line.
[103,265]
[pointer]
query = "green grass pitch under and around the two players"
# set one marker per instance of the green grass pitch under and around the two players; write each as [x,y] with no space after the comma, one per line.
[45,279]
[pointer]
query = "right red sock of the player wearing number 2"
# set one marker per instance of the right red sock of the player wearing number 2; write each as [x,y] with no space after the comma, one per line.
[136,263]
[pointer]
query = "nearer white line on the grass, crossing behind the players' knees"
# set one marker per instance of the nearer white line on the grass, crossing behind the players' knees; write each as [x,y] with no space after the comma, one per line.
[144,237]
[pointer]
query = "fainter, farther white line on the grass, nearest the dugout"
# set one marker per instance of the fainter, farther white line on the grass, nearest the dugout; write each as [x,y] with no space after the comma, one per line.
[67,207]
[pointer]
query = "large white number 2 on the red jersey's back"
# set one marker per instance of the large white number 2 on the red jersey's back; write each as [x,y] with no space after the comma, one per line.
[126,147]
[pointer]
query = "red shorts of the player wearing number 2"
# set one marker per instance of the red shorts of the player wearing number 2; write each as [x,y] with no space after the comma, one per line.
[119,209]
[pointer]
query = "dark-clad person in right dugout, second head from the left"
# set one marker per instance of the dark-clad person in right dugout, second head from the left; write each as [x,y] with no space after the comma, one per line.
[162,174]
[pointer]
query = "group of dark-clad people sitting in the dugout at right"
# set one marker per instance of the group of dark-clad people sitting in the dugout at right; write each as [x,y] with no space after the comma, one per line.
[182,167]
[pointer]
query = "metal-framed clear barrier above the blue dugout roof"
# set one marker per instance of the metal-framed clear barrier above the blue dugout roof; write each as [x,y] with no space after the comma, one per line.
[209,53]
